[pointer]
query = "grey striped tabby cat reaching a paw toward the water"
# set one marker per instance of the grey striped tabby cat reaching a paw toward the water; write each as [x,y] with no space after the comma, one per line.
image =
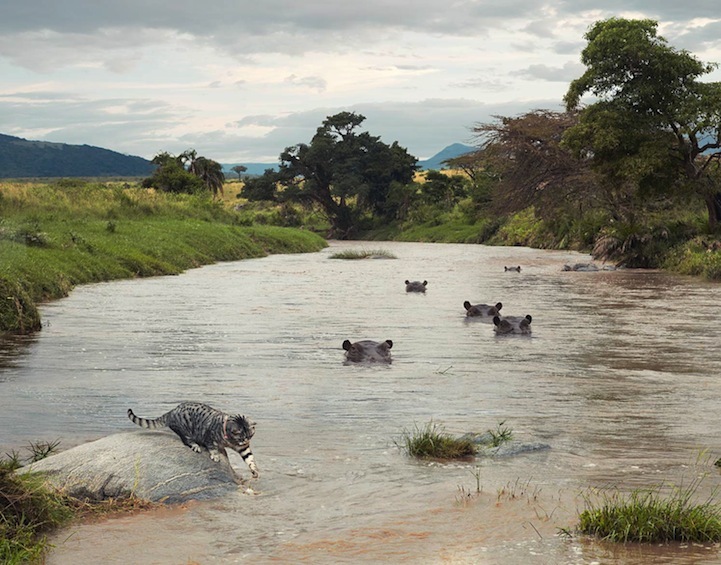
[202,426]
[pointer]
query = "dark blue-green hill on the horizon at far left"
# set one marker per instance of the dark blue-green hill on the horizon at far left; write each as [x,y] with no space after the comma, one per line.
[20,158]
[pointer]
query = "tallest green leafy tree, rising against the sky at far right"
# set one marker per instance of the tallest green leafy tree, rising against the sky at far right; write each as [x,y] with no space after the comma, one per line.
[654,125]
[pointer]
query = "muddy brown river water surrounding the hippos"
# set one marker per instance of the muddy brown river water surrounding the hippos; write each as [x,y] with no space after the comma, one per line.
[621,378]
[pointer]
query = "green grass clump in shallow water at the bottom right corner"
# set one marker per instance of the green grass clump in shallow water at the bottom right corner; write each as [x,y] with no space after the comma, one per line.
[646,516]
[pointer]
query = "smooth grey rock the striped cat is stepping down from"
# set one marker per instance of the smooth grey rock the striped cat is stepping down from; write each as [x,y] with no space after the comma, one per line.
[152,465]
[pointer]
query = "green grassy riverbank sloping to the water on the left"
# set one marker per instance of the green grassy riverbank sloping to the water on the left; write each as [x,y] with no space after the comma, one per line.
[56,236]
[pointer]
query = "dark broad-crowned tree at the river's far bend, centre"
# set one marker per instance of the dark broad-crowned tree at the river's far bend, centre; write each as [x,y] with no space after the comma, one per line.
[345,172]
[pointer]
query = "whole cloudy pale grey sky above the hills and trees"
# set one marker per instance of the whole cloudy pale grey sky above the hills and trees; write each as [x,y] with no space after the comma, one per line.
[240,80]
